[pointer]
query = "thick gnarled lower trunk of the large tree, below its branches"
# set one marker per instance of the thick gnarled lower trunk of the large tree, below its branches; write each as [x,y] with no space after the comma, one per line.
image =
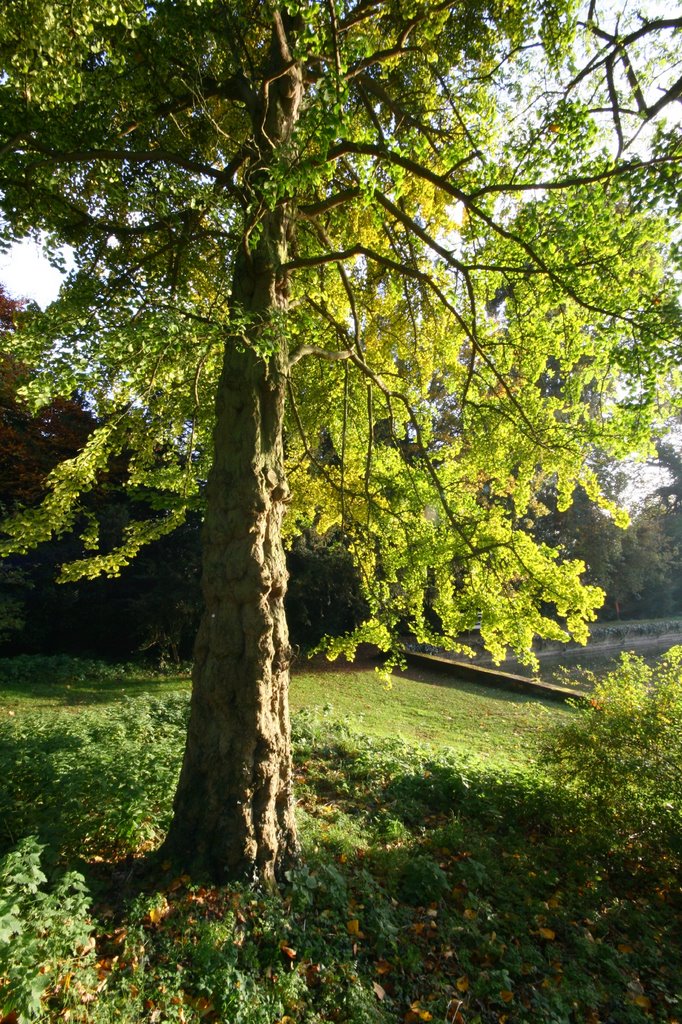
[234,808]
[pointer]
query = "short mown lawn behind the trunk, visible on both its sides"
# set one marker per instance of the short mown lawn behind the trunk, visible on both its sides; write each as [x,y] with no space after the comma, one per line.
[477,720]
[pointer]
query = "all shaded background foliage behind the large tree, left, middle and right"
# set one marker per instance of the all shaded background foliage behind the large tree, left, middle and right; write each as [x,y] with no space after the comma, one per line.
[154,606]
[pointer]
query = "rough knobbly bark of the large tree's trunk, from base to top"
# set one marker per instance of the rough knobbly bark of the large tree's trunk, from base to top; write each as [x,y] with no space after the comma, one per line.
[234,813]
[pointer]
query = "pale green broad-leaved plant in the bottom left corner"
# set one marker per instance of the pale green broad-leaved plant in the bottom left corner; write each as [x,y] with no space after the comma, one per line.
[46,935]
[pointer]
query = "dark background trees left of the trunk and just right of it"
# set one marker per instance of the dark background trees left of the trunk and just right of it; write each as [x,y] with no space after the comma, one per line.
[154,606]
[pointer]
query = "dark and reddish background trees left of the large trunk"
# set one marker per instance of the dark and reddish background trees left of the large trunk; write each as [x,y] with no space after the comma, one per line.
[155,607]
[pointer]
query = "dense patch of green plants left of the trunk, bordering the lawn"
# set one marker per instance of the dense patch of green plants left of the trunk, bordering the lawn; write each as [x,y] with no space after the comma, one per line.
[97,783]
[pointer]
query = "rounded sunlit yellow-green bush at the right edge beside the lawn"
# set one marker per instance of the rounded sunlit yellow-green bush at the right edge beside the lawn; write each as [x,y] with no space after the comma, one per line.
[621,756]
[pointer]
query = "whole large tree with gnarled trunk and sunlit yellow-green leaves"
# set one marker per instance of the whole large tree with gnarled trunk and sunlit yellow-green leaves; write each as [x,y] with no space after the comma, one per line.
[318,234]
